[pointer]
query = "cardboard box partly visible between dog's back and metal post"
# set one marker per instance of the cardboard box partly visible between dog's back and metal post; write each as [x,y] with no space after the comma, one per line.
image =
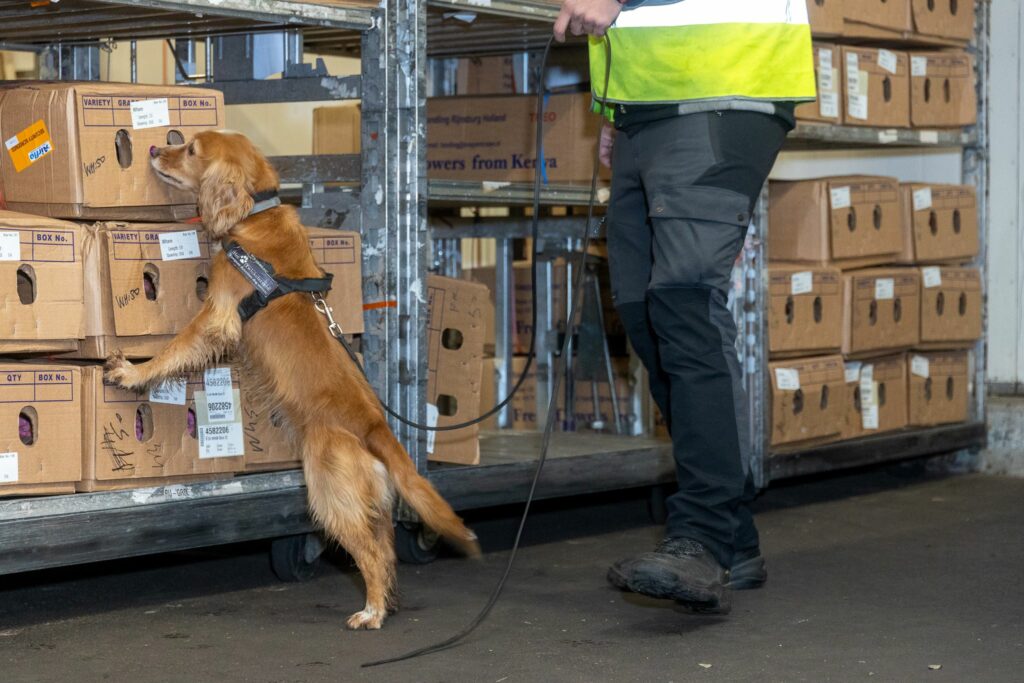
[340,252]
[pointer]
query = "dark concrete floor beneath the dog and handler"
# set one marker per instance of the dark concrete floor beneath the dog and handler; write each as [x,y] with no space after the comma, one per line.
[877,576]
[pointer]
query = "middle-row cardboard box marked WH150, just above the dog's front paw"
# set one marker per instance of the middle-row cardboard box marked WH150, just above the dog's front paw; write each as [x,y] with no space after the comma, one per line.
[135,301]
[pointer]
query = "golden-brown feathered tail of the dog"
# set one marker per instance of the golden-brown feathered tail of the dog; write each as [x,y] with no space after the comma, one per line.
[420,494]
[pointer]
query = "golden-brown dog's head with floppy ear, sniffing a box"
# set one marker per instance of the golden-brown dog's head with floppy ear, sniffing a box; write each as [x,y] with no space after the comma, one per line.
[224,169]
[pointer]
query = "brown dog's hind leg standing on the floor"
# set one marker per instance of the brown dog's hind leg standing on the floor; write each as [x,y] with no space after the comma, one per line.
[351,498]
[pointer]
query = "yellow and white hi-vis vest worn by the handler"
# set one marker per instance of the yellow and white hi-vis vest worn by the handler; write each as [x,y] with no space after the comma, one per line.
[706,51]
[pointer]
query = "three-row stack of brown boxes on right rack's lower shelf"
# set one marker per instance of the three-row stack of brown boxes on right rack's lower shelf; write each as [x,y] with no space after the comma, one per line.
[871,311]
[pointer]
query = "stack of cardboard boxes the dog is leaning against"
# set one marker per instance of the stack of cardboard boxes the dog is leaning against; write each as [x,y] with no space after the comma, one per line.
[81,276]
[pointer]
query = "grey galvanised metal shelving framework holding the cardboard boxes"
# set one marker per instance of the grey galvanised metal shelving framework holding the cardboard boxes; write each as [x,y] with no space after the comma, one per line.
[392,214]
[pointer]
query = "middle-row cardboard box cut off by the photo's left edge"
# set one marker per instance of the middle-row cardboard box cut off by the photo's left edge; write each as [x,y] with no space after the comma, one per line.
[41,292]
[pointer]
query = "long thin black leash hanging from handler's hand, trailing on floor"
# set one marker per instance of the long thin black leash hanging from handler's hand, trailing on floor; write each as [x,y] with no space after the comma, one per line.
[560,368]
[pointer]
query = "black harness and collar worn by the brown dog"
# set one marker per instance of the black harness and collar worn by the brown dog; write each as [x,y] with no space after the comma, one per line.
[269,286]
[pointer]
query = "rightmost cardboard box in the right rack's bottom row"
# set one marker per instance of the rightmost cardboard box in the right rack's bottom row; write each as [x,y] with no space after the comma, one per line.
[940,389]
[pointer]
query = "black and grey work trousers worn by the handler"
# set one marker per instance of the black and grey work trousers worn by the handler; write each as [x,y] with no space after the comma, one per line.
[682,193]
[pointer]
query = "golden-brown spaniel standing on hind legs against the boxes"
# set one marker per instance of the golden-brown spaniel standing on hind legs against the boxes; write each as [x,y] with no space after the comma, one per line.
[350,455]
